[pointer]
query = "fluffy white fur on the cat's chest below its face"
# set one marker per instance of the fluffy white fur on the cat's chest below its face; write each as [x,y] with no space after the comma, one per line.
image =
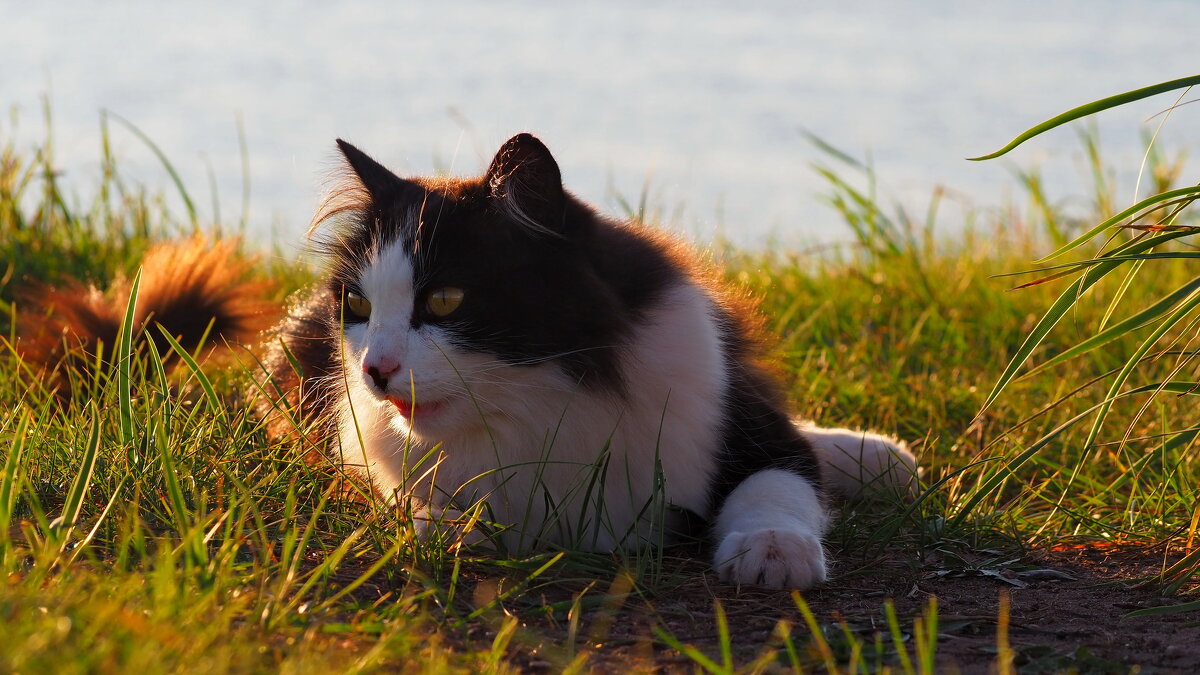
[555,461]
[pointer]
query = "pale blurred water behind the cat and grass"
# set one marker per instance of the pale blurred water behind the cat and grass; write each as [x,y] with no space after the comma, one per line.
[701,101]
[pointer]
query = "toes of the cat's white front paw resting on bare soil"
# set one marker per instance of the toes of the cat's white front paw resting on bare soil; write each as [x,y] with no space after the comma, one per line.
[776,559]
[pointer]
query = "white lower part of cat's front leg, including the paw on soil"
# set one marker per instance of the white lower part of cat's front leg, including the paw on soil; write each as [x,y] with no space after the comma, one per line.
[769,533]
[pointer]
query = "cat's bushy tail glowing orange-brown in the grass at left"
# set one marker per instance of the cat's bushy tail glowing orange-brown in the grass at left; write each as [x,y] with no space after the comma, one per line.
[196,290]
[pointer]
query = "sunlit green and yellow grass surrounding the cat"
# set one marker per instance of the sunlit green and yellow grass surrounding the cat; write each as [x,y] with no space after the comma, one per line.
[154,527]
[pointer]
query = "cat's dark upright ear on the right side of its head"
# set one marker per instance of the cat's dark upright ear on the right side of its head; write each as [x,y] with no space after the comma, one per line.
[526,184]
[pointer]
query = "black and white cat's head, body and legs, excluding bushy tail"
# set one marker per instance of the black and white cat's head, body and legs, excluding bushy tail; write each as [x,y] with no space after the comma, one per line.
[495,339]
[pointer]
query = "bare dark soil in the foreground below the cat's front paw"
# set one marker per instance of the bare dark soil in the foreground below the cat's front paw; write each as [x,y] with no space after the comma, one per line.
[1067,614]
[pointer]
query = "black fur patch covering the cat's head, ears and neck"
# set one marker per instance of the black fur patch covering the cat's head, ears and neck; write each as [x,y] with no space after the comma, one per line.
[571,294]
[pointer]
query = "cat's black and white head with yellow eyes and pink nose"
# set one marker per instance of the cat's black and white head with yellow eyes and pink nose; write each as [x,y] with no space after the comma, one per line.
[472,297]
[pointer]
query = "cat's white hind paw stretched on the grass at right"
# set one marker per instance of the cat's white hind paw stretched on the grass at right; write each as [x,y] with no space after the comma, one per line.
[862,464]
